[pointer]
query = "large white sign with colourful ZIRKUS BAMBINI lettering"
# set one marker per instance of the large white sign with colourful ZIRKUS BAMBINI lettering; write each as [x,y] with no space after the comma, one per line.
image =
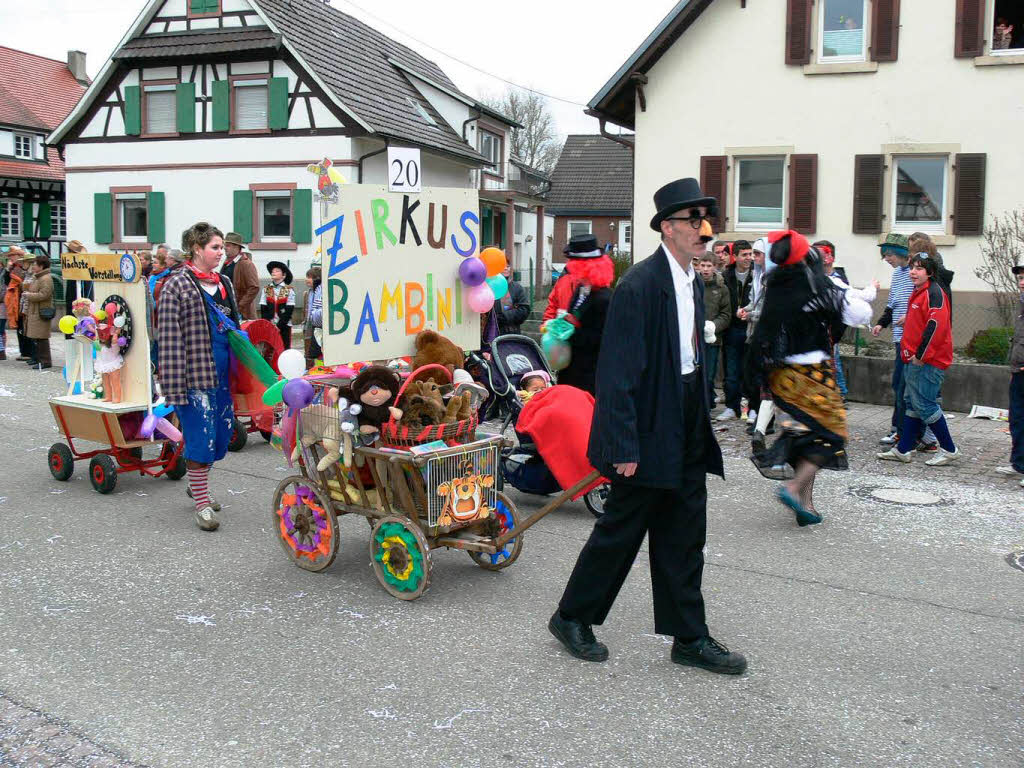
[392,270]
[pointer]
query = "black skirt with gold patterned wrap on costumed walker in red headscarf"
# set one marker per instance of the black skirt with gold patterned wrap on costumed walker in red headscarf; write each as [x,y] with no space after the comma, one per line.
[812,418]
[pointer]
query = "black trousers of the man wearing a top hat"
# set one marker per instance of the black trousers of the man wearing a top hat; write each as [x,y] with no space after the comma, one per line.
[675,522]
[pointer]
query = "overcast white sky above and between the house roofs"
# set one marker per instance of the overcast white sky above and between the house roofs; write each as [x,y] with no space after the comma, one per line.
[567,49]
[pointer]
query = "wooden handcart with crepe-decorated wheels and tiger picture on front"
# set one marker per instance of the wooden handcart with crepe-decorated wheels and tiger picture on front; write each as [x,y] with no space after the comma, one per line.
[414,502]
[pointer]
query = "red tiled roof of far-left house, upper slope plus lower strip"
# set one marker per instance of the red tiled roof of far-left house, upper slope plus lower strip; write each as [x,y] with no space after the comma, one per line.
[35,93]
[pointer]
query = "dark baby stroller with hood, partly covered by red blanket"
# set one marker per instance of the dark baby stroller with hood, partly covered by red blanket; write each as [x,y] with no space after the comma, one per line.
[511,357]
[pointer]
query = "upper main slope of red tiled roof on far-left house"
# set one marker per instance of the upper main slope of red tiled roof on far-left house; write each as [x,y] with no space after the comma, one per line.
[35,93]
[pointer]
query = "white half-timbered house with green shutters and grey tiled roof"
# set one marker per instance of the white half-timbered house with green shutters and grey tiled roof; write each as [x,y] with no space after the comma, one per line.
[212,110]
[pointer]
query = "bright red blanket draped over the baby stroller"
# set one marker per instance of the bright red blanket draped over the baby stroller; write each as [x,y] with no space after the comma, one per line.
[559,420]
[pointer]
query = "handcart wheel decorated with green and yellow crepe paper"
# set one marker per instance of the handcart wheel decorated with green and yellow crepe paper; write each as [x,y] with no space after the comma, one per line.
[401,558]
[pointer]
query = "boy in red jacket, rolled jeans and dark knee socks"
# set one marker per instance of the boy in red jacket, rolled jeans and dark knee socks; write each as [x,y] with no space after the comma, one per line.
[927,351]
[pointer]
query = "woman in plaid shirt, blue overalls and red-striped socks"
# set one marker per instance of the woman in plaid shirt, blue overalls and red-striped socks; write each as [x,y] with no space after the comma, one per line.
[197,309]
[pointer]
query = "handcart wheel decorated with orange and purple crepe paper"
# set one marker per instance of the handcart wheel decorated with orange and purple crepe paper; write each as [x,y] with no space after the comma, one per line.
[307,524]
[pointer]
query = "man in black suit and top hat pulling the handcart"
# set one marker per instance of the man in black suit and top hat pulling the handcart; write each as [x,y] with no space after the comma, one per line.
[652,436]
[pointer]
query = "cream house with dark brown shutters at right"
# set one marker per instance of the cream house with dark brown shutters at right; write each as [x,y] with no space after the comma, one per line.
[841,119]
